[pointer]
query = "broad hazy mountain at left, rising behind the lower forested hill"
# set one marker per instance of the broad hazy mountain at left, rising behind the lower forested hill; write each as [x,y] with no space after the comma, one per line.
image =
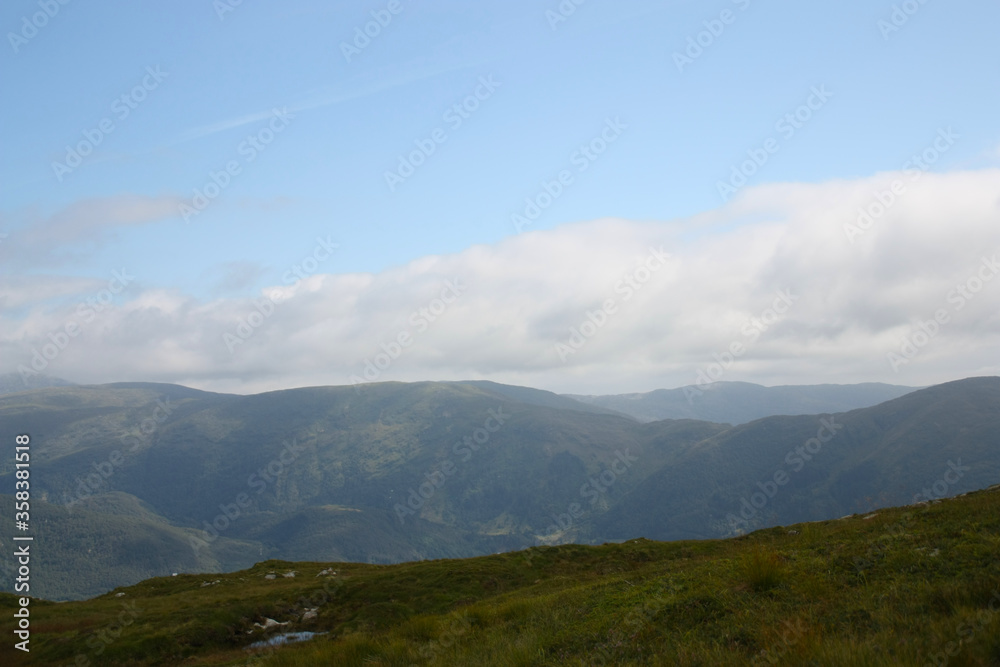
[378,473]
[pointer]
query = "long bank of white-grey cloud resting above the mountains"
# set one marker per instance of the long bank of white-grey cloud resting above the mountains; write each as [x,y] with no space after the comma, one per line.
[855,302]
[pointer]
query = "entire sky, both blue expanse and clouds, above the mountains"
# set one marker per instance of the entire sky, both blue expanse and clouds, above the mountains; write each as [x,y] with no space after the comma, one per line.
[579,196]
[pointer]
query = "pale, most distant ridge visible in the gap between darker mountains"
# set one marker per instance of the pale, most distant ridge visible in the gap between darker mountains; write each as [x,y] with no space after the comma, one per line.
[741,402]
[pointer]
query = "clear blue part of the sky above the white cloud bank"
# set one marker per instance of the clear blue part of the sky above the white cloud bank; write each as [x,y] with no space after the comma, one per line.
[556,86]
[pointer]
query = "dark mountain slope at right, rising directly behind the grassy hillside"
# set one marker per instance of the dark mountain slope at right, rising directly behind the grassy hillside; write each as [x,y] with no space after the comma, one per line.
[878,456]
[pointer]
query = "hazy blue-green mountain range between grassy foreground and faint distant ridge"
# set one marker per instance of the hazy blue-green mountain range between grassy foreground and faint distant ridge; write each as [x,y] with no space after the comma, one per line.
[137,480]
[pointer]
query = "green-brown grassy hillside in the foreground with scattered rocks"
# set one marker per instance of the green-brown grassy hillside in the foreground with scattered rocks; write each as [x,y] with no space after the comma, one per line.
[917,585]
